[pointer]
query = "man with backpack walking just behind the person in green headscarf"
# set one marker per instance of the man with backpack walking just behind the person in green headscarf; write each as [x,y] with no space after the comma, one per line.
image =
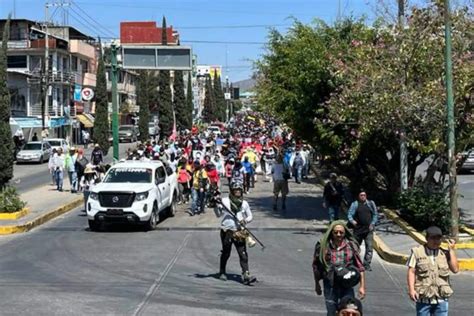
[363,215]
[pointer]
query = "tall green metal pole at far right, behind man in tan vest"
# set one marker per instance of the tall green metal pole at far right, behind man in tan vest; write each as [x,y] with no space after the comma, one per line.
[453,195]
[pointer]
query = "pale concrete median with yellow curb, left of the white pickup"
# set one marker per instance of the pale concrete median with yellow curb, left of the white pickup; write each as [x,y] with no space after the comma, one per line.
[44,203]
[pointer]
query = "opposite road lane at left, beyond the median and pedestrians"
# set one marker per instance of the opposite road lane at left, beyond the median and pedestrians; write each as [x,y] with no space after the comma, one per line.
[29,176]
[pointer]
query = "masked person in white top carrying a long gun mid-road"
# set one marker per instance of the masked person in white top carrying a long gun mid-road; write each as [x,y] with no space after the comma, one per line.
[231,232]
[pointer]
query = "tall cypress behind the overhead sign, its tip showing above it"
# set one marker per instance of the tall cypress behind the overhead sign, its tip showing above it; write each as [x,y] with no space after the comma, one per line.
[165,105]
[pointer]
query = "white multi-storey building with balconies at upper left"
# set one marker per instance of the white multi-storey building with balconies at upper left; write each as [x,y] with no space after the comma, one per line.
[71,63]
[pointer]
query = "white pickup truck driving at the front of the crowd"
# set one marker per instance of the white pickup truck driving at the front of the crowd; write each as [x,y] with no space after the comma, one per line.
[133,192]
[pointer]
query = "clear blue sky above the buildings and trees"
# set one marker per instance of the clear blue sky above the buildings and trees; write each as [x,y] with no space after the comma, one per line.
[224,21]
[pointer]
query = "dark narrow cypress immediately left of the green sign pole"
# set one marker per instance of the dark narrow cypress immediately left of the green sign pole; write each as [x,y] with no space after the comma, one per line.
[101,124]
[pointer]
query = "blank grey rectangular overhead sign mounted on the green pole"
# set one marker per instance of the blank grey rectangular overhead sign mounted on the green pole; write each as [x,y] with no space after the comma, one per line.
[157,57]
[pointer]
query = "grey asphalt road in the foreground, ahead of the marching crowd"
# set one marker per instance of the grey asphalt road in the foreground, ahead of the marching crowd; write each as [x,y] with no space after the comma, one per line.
[63,269]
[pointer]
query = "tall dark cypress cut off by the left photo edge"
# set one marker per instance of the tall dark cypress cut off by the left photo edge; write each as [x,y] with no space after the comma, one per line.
[6,140]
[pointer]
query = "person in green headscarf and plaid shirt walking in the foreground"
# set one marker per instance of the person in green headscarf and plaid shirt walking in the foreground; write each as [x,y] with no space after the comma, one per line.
[336,261]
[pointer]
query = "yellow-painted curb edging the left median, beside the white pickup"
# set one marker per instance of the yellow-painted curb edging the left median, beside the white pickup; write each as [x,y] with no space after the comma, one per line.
[49,215]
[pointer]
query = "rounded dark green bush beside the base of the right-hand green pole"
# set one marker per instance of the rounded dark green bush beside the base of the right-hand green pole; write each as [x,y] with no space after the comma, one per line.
[422,210]
